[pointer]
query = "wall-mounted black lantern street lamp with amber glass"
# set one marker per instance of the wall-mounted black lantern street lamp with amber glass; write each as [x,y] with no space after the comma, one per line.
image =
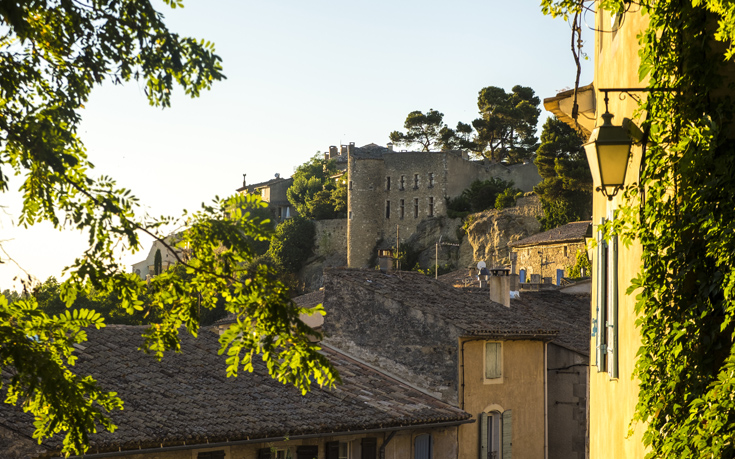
[608,153]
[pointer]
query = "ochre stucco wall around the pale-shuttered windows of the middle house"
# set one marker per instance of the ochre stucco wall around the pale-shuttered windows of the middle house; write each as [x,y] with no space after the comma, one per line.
[521,390]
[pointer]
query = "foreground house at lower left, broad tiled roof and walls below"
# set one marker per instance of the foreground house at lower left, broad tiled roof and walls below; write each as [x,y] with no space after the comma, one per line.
[185,407]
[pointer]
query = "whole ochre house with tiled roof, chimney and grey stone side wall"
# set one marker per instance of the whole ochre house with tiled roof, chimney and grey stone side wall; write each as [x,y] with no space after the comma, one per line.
[521,371]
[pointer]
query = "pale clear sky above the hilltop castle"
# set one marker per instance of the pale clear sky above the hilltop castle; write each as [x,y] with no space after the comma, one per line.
[301,76]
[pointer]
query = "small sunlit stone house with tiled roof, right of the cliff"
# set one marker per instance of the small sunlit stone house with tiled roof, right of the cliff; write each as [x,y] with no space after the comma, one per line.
[550,254]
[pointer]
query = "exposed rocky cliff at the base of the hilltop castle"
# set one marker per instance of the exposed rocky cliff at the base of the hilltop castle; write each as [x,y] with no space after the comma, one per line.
[486,238]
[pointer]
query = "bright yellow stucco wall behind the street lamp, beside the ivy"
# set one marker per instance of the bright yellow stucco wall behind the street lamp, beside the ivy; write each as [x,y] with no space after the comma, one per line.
[612,402]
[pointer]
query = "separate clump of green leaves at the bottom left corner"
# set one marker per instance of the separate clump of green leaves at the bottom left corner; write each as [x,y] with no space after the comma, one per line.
[40,349]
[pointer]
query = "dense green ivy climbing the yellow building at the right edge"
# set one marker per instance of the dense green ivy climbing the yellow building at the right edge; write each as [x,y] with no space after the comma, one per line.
[682,215]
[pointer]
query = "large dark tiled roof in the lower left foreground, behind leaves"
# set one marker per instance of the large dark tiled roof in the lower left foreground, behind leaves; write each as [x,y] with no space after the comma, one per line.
[188,398]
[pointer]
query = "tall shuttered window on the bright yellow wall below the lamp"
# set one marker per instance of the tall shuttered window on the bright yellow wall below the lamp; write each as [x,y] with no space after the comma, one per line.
[604,326]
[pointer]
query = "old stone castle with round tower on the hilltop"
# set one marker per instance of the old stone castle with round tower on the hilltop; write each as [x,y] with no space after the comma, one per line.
[390,193]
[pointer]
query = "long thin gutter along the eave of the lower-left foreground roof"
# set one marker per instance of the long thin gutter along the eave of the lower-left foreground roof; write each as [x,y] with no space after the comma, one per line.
[265,440]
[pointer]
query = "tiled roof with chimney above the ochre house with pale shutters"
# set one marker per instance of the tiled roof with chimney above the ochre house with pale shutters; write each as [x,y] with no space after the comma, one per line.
[560,317]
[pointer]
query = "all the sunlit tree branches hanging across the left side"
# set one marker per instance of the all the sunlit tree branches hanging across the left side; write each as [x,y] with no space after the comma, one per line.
[53,54]
